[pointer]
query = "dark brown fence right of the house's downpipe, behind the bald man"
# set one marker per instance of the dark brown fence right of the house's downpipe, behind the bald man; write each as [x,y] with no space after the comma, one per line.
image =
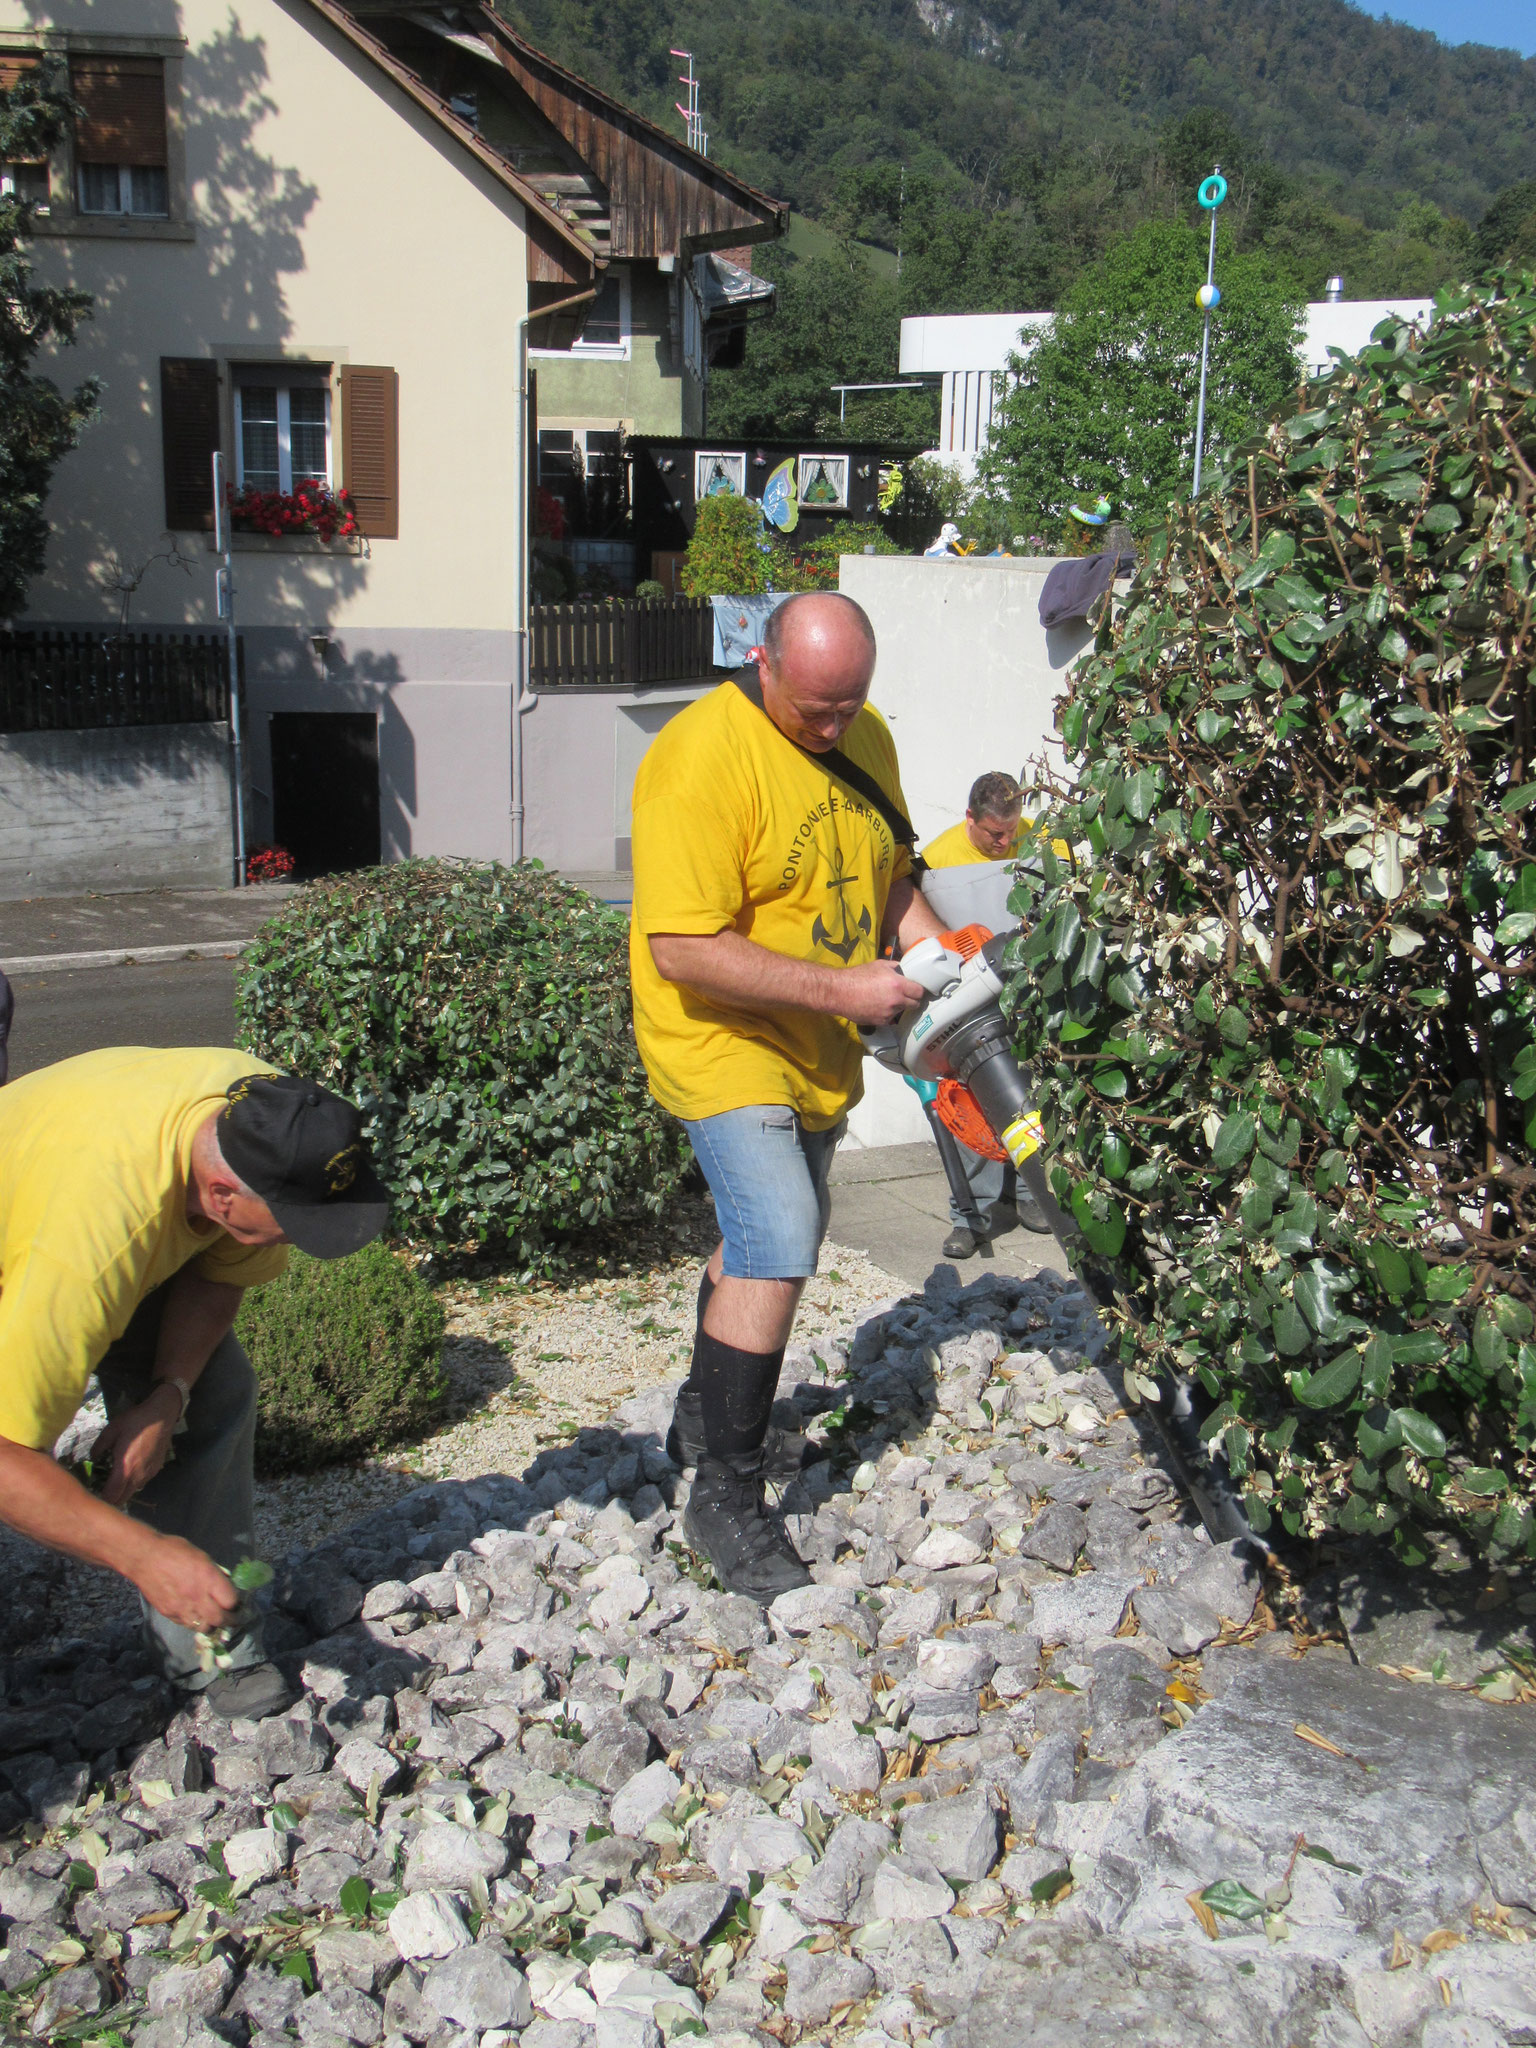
[620,644]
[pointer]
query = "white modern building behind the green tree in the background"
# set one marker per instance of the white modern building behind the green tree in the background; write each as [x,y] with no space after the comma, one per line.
[970,355]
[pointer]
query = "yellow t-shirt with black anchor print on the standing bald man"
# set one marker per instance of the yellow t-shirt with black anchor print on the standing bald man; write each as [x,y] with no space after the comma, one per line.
[738,830]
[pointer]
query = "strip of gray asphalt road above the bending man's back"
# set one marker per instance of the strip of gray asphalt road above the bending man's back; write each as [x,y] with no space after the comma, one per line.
[77,1011]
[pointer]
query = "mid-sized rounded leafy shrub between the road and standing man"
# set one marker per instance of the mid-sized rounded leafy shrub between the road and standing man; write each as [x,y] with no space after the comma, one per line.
[480,1019]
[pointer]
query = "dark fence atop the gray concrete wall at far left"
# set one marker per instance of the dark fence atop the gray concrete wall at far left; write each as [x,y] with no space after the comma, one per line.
[79,681]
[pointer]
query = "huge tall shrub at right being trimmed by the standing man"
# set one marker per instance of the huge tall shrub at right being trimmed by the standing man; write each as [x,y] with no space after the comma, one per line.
[1285,1015]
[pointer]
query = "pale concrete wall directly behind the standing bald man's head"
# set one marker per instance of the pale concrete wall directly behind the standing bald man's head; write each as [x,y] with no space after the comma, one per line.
[966,671]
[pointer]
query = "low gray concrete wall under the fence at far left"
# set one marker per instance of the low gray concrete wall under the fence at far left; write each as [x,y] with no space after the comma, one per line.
[132,808]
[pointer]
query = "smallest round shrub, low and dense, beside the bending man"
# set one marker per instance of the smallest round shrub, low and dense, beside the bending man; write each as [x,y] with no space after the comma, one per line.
[347,1359]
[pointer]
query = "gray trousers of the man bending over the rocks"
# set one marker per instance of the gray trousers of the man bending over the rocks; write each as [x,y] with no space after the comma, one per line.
[204,1492]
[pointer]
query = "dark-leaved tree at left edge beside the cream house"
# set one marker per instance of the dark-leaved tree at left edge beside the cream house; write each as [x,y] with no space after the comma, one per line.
[38,423]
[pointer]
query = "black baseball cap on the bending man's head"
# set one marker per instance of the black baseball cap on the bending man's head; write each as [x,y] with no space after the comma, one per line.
[302,1150]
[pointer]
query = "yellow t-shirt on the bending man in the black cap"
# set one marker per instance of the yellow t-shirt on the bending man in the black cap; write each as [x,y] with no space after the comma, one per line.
[95,1158]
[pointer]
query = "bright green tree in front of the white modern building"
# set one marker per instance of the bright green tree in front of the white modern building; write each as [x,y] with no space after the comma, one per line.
[1105,402]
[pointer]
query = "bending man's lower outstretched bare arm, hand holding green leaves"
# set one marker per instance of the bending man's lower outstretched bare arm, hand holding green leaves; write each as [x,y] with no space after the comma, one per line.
[46,1504]
